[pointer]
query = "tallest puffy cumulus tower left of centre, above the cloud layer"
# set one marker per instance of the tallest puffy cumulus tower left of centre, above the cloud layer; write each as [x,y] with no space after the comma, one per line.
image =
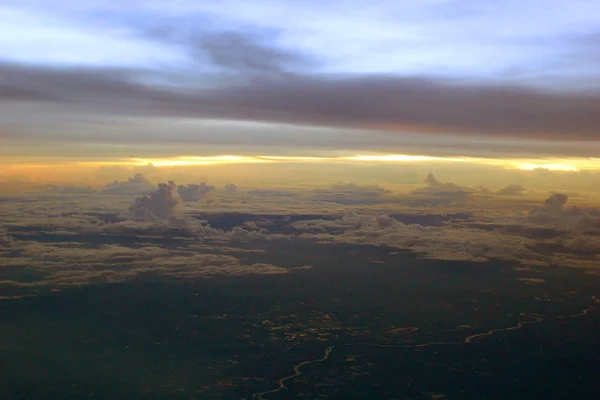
[159,204]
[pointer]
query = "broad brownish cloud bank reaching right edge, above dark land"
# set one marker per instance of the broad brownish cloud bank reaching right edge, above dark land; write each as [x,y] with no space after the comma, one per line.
[551,236]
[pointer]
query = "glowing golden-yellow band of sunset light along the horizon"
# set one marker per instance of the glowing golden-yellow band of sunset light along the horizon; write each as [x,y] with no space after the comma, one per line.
[276,168]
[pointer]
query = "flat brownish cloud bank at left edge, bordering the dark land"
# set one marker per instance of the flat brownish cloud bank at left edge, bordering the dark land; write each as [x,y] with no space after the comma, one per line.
[70,264]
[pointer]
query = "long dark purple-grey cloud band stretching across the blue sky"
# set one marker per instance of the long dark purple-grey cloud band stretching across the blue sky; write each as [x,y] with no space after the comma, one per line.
[390,103]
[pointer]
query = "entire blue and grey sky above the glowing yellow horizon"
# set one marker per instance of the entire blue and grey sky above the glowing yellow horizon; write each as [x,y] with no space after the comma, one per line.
[507,84]
